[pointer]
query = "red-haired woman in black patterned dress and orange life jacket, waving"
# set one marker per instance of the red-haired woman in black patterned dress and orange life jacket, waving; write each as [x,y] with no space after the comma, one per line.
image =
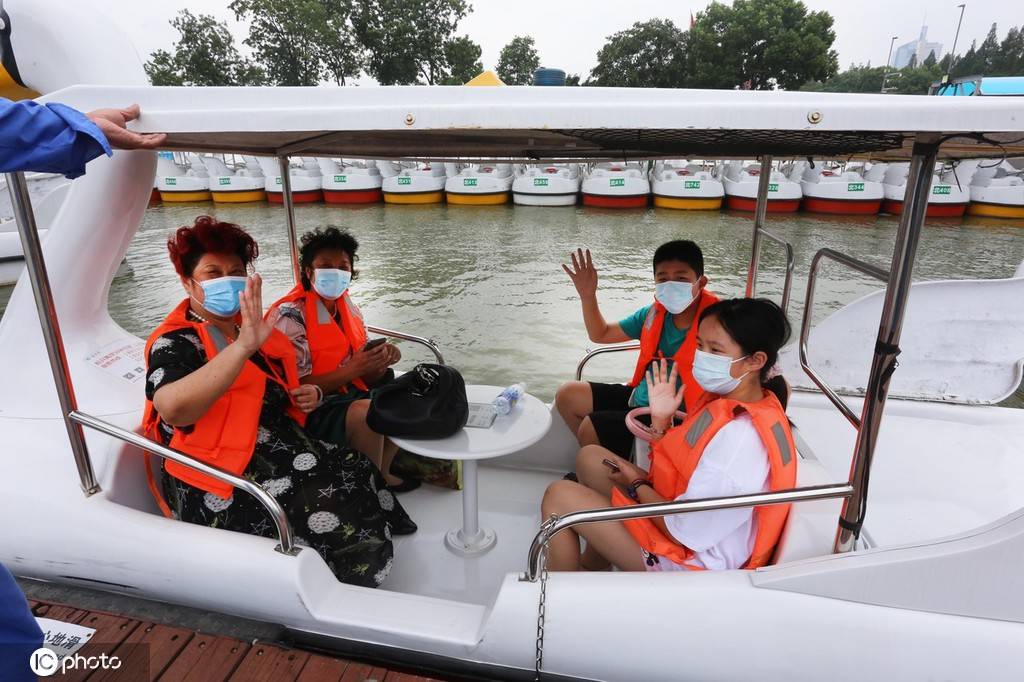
[222,387]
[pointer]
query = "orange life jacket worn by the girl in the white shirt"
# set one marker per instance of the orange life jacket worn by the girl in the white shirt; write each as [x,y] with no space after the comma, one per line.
[676,456]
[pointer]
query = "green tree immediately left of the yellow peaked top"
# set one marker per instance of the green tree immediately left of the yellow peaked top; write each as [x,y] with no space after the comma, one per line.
[411,41]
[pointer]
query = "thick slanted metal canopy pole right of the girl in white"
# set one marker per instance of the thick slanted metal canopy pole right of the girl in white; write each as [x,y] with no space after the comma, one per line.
[919,184]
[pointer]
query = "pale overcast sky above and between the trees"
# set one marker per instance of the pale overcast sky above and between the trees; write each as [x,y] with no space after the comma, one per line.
[569,33]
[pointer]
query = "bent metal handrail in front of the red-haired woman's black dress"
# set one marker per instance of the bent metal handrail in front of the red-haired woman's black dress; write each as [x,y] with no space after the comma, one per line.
[286,537]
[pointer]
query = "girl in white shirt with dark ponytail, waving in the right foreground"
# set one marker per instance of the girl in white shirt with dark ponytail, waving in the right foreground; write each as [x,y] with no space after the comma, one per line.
[739,344]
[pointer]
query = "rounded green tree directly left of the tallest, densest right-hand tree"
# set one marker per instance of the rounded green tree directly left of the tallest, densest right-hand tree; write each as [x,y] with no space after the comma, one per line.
[651,55]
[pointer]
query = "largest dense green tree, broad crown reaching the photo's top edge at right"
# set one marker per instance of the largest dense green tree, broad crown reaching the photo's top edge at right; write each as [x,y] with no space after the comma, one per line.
[765,44]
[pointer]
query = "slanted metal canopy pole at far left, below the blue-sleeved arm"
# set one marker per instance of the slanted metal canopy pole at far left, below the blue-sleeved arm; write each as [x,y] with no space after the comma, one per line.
[36,268]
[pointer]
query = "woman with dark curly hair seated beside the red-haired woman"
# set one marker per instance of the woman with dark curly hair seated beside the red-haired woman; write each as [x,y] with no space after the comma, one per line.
[330,342]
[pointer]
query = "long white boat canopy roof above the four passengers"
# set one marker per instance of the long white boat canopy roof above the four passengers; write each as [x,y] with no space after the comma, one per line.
[528,123]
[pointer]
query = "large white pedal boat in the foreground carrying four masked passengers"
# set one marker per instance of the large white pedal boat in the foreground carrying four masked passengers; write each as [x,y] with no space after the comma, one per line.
[930,590]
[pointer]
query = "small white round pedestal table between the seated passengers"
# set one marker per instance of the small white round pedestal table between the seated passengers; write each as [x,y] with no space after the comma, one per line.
[527,424]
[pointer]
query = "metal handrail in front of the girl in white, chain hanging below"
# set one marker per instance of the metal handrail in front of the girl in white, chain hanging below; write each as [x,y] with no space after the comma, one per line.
[808,494]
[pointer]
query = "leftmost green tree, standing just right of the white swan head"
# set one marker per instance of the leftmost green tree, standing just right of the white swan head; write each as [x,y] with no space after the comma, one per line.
[204,55]
